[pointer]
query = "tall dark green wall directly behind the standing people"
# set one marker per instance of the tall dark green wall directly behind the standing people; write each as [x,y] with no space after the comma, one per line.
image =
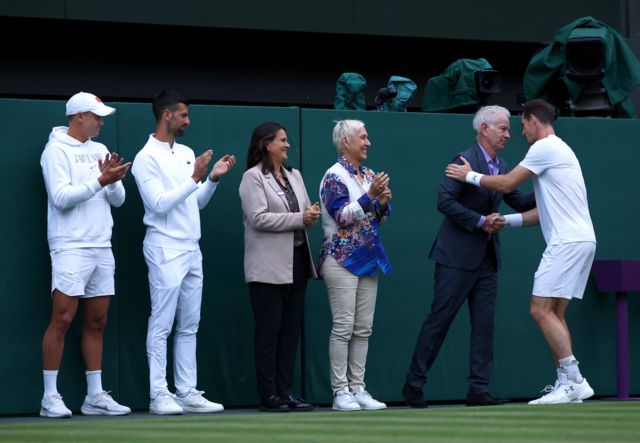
[414,149]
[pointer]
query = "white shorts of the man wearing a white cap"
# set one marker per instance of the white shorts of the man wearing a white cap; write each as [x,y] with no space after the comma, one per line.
[83,272]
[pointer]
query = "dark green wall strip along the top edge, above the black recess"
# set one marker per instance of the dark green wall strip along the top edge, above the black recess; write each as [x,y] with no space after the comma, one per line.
[502,20]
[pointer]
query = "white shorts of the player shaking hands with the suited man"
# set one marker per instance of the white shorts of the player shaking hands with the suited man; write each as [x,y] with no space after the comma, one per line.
[564,270]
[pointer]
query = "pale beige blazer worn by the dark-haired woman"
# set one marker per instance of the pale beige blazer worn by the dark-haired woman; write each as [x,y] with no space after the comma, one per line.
[269,226]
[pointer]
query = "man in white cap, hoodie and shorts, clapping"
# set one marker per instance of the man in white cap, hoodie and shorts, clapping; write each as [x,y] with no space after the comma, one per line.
[83,181]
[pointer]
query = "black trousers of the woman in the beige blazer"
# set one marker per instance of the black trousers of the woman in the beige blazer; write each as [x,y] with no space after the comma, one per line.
[278,310]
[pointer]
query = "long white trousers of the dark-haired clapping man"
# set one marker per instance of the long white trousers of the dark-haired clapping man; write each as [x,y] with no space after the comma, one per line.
[175,283]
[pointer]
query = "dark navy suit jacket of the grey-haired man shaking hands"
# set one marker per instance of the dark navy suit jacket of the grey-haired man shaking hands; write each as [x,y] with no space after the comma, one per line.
[460,244]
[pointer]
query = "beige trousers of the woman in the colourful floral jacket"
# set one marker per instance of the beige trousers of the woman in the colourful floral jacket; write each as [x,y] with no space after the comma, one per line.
[352,300]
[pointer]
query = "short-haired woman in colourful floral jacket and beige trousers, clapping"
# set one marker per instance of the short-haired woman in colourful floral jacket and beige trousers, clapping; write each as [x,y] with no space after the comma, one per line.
[354,202]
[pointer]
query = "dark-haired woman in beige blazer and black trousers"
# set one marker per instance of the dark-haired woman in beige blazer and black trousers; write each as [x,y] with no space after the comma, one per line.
[277,262]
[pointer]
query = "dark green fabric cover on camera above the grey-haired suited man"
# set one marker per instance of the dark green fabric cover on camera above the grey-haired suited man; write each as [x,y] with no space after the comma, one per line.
[455,87]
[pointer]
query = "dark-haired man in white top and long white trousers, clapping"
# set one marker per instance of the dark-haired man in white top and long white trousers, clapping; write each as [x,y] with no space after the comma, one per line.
[169,177]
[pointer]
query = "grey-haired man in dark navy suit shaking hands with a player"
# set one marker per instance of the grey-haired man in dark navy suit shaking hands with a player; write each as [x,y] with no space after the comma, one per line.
[467,256]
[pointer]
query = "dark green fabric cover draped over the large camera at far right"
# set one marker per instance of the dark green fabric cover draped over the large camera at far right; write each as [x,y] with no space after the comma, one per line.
[621,76]
